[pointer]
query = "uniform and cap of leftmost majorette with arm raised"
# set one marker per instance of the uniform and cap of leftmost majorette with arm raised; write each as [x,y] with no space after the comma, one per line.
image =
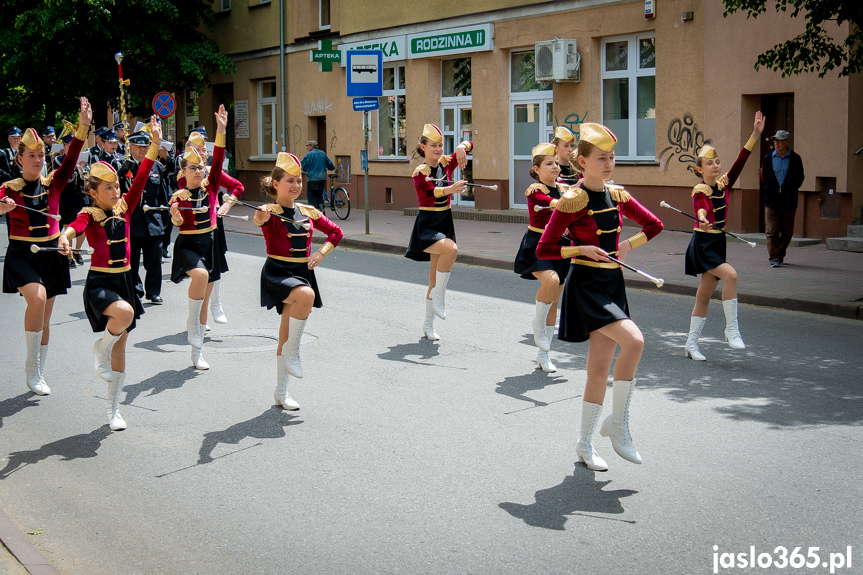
[49,268]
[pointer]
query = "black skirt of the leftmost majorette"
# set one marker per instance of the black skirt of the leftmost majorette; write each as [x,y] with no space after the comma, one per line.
[21,267]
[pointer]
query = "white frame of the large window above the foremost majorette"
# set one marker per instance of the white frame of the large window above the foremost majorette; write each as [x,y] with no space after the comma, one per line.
[632,73]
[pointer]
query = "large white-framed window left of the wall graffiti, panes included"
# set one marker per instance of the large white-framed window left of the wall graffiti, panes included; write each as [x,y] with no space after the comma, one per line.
[629,80]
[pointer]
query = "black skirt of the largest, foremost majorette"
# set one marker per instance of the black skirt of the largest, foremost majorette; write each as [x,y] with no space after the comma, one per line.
[593,298]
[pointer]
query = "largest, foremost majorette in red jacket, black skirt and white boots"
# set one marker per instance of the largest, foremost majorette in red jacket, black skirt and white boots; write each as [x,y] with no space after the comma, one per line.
[595,306]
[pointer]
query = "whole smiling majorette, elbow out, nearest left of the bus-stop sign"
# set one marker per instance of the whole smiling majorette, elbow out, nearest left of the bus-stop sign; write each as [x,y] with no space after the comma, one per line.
[288,278]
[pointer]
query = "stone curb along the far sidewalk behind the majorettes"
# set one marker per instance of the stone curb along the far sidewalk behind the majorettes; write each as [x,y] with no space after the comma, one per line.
[847,311]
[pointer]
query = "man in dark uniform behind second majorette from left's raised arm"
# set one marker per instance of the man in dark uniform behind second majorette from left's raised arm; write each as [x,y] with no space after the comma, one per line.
[147,227]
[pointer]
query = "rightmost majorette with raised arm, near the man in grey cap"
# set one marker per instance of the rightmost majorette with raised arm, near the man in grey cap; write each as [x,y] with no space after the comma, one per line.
[706,252]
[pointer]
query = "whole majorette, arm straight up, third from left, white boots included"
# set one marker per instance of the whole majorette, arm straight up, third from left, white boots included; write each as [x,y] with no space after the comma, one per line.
[195,253]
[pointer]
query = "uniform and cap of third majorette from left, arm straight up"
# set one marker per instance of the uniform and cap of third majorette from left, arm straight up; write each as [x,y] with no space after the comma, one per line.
[195,247]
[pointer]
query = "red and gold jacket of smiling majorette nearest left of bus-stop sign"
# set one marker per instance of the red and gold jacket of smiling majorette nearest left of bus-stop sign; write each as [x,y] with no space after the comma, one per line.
[292,242]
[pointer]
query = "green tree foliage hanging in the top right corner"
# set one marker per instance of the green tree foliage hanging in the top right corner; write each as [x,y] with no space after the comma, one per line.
[814,50]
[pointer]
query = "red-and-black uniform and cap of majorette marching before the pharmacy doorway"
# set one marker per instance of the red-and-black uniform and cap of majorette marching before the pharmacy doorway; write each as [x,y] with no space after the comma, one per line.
[434,221]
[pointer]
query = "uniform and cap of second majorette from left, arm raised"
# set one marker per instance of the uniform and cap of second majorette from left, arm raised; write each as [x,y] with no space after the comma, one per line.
[109,278]
